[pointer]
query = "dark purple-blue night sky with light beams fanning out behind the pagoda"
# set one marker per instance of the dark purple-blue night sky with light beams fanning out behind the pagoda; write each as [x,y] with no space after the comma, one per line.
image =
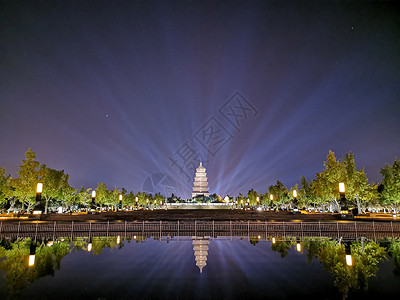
[136,93]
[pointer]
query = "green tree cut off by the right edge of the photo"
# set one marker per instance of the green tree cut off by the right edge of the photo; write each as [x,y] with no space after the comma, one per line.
[390,194]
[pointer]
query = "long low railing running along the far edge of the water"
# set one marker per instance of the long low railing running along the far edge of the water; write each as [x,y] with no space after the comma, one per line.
[158,229]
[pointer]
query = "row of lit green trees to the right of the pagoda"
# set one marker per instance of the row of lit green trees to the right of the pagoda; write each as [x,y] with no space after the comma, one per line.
[322,192]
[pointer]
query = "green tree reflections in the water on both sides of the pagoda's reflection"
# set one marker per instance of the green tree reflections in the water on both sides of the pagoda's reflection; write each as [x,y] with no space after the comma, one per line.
[331,253]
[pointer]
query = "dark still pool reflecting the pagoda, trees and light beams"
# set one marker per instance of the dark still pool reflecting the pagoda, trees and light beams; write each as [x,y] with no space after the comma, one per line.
[176,269]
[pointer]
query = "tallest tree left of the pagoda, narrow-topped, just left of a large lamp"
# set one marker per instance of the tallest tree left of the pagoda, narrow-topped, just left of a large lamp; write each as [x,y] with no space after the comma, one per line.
[29,175]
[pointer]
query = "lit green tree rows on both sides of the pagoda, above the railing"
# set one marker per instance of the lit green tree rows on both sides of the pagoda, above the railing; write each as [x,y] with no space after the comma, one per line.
[321,192]
